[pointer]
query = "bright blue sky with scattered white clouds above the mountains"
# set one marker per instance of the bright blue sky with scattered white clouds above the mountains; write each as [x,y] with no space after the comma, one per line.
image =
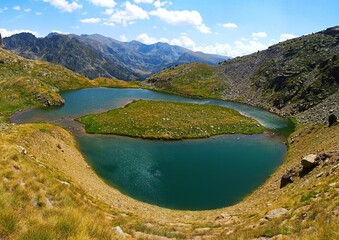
[225,27]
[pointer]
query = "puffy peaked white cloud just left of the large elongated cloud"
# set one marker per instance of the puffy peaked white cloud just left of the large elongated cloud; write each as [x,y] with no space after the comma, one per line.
[128,15]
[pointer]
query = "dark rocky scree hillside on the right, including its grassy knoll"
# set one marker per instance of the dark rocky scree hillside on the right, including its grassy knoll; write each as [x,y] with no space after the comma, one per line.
[299,77]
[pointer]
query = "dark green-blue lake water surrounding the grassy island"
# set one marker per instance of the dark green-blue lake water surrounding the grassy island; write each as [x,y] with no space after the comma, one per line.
[193,174]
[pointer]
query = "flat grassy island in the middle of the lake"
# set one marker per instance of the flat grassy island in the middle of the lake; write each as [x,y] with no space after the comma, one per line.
[170,120]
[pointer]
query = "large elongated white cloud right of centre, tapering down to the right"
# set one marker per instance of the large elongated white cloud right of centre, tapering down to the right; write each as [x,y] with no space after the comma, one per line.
[181,18]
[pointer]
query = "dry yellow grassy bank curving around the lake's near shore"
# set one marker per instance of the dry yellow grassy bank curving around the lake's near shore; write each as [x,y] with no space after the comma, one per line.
[89,197]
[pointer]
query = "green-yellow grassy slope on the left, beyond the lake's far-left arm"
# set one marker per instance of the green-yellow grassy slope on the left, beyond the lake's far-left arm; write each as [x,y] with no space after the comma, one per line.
[27,83]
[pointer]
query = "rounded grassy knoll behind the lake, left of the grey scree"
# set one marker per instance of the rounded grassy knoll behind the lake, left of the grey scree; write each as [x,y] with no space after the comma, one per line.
[194,80]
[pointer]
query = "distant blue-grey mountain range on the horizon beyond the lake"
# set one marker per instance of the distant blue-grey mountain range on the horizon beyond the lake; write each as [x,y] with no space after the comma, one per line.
[98,56]
